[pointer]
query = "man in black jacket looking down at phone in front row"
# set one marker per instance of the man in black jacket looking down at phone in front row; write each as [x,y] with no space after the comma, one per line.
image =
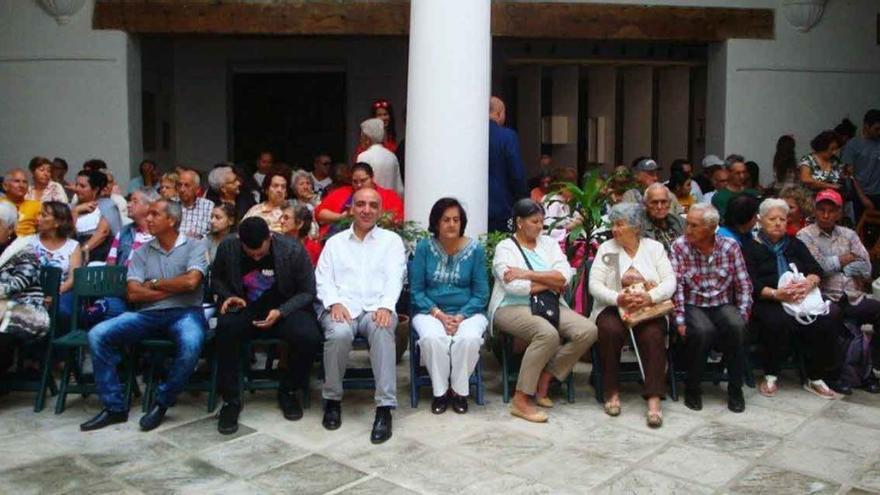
[266,286]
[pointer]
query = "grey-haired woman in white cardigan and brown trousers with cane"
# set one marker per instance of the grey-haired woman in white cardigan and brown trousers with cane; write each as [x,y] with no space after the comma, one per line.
[630,258]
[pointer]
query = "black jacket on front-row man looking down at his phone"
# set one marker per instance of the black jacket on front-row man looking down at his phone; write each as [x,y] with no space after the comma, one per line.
[294,274]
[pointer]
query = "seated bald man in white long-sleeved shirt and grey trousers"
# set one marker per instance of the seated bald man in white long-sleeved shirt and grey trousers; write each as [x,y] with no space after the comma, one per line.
[359,278]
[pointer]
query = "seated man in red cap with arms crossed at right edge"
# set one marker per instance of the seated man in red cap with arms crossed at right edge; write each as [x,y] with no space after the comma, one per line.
[847,268]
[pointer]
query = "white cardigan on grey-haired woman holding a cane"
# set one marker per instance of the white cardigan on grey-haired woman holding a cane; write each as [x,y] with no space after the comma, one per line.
[650,260]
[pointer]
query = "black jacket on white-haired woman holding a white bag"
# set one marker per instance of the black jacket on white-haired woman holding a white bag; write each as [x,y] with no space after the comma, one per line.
[761,262]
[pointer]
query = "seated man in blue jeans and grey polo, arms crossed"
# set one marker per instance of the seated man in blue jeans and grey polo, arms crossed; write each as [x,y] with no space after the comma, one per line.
[165,284]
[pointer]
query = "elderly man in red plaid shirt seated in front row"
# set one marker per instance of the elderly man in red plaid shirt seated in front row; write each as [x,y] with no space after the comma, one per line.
[712,302]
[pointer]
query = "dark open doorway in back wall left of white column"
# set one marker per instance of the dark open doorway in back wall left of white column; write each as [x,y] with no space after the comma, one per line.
[293,115]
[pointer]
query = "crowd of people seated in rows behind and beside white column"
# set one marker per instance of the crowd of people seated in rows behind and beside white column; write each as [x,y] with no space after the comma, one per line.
[311,258]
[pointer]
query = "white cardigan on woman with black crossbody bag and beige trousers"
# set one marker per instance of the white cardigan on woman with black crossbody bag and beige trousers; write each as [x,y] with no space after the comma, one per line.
[508,255]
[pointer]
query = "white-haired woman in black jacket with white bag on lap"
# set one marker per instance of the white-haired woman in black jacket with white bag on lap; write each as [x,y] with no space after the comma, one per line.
[768,256]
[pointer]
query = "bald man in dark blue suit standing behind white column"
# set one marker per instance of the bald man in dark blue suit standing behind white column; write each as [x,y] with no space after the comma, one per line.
[507,176]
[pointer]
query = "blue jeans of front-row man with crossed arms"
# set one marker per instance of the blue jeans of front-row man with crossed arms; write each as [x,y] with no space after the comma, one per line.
[185,326]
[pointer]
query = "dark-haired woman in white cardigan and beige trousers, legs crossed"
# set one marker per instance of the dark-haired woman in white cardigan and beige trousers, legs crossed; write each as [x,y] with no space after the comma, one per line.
[552,352]
